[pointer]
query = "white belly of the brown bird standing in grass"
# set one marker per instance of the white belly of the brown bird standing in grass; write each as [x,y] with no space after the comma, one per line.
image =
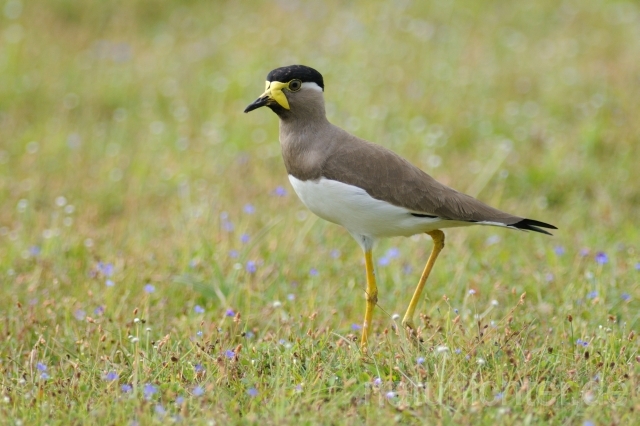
[361,214]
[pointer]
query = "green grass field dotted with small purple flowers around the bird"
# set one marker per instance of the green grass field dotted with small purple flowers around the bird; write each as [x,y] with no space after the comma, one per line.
[156,266]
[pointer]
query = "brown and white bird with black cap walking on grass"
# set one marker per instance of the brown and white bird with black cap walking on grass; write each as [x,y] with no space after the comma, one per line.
[368,189]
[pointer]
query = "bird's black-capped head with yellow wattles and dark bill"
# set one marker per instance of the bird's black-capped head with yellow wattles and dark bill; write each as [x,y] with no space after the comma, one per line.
[291,89]
